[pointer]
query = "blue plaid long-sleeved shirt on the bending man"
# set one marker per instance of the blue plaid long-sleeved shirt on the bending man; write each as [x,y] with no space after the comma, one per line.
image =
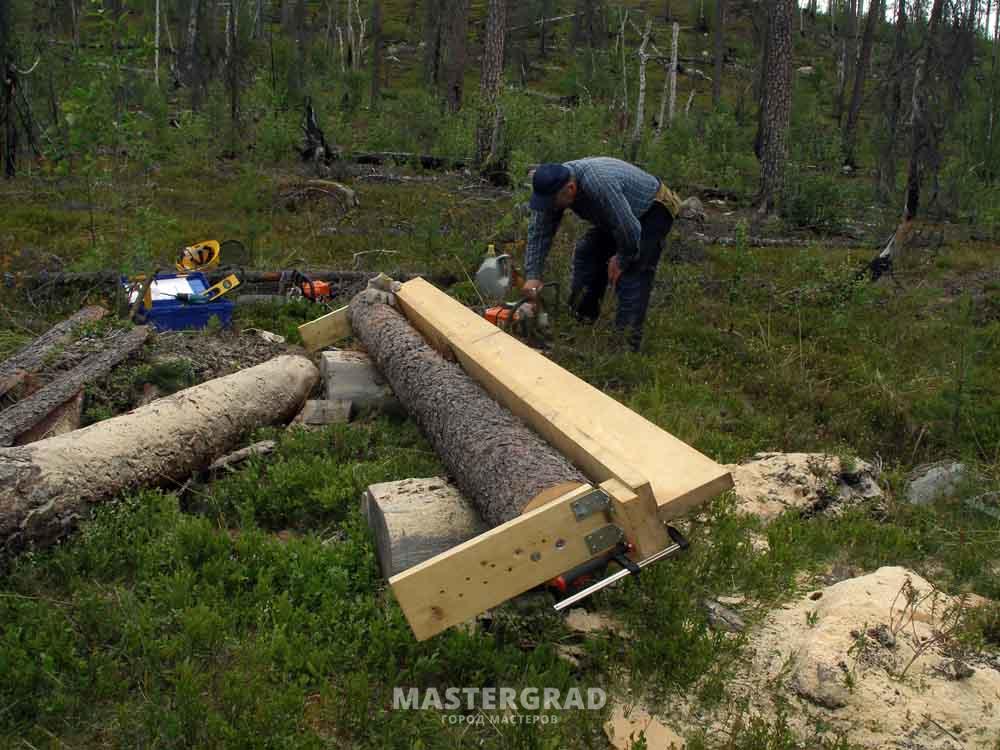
[611,194]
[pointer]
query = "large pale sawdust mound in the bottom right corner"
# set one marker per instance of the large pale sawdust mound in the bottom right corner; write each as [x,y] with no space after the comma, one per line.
[866,658]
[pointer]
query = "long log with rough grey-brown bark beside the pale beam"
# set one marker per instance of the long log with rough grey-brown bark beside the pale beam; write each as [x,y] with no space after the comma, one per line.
[496,461]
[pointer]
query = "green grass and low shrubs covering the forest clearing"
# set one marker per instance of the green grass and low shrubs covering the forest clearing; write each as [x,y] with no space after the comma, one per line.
[248,612]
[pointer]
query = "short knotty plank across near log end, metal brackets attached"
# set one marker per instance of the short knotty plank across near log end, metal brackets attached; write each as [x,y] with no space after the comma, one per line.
[495,566]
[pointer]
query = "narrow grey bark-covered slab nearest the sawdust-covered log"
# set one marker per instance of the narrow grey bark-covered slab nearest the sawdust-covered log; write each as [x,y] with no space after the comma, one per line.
[29,412]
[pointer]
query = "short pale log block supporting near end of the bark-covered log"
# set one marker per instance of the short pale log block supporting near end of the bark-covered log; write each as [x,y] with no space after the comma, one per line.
[415,519]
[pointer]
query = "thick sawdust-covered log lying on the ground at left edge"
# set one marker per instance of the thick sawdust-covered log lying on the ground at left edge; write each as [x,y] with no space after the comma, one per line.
[47,487]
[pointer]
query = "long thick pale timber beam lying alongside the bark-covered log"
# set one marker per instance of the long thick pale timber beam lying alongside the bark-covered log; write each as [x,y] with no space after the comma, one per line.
[606,439]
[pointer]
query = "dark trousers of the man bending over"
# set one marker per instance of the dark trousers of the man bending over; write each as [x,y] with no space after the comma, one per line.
[590,274]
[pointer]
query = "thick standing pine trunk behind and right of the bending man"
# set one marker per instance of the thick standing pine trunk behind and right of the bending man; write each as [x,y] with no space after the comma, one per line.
[777,104]
